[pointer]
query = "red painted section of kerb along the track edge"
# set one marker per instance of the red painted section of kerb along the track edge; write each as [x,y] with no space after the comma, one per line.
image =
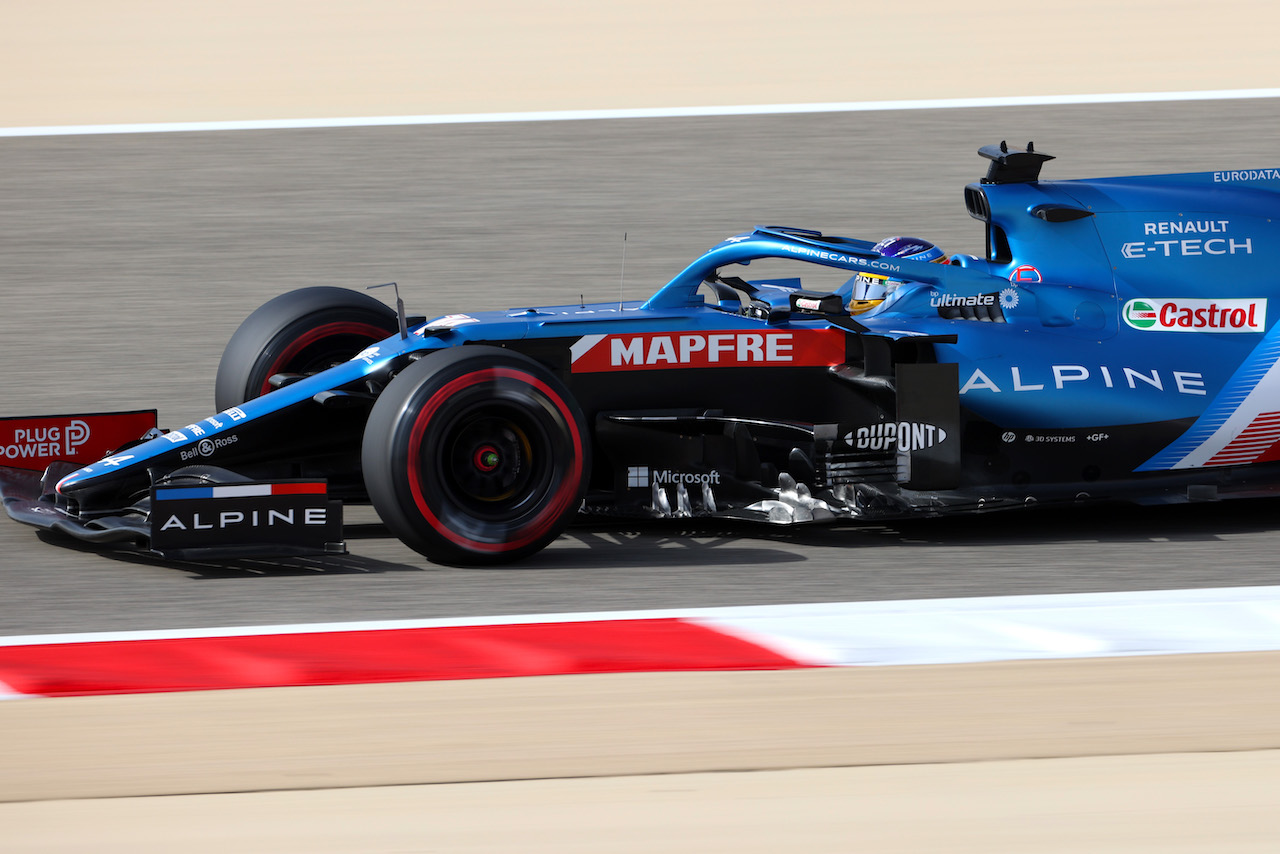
[378,656]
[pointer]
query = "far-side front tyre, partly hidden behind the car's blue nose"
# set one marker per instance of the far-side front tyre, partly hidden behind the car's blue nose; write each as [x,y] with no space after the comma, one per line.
[300,332]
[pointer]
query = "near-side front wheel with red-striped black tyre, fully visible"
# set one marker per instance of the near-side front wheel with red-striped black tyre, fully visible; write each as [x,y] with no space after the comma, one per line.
[476,455]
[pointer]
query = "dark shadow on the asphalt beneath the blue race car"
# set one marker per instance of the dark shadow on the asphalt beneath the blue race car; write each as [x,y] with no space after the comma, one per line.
[639,544]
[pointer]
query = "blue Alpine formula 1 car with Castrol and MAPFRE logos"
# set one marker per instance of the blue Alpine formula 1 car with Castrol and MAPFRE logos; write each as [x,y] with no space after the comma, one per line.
[1118,341]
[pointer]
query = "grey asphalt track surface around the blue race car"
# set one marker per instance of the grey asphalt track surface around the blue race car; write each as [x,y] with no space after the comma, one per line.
[127,262]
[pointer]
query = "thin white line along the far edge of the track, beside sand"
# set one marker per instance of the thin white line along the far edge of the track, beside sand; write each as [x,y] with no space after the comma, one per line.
[648,113]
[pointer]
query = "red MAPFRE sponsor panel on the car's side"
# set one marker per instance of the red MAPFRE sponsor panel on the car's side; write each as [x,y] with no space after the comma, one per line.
[715,349]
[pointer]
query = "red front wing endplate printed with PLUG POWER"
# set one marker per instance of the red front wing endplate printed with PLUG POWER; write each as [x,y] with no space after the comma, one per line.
[35,442]
